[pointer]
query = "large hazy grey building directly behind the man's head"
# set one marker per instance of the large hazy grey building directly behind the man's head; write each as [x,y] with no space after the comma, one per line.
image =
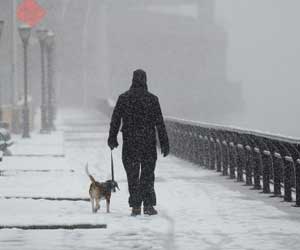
[184,51]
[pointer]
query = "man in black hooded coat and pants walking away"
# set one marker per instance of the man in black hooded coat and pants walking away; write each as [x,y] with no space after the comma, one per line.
[141,116]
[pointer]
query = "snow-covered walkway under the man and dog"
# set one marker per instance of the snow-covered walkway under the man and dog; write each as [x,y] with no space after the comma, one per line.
[198,209]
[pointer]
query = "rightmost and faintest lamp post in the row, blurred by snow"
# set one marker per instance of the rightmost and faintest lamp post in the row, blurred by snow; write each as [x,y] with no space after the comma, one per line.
[50,85]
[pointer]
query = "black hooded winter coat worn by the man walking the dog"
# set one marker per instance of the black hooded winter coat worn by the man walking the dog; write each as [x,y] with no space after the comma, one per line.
[140,114]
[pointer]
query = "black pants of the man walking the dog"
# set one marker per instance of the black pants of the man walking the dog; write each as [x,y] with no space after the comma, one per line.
[140,177]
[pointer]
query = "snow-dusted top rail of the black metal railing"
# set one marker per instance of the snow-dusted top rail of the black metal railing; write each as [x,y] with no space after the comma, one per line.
[236,130]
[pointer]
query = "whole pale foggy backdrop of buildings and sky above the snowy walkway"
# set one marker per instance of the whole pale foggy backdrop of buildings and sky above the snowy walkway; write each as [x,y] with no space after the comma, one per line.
[232,62]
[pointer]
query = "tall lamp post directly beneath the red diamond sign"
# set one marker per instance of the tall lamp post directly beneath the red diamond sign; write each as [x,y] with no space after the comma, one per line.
[25,32]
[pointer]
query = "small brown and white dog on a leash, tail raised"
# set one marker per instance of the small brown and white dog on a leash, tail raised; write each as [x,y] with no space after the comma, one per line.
[100,191]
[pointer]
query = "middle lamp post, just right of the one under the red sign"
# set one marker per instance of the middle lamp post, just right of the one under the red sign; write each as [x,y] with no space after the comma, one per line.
[42,35]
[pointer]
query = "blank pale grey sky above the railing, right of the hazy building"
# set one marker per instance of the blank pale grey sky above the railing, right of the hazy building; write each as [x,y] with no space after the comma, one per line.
[264,54]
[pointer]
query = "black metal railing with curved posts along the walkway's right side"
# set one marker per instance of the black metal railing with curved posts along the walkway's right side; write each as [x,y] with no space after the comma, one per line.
[261,160]
